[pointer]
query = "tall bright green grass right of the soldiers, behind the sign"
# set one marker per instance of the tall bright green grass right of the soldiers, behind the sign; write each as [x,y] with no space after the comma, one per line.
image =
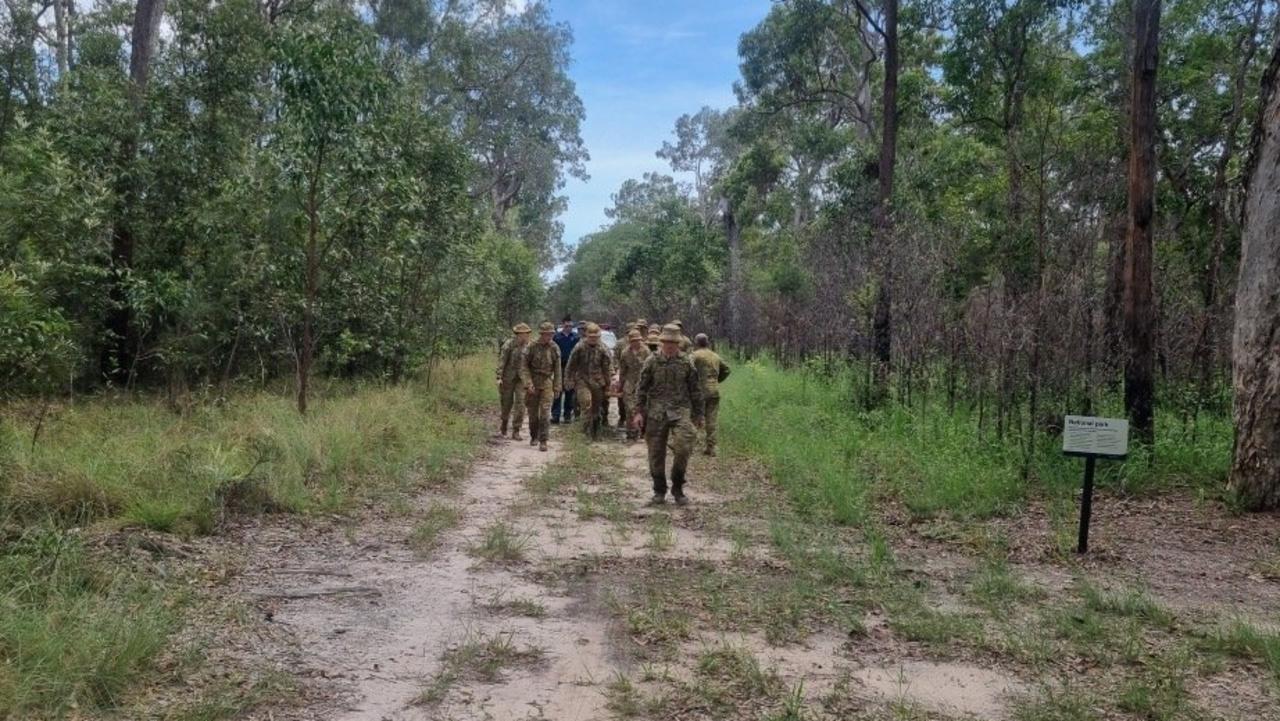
[835,459]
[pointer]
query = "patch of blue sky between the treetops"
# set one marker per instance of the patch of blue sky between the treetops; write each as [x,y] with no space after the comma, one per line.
[639,65]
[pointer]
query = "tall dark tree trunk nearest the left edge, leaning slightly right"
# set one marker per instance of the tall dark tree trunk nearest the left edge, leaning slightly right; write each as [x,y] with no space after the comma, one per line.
[117,358]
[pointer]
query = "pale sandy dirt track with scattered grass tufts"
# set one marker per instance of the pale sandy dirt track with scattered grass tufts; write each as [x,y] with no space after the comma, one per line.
[376,631]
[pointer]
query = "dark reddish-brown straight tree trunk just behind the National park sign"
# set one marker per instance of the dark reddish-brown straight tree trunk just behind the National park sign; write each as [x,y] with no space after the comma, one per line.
[1140,314]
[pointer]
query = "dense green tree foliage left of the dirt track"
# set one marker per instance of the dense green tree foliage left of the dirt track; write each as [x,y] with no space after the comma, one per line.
[254,131]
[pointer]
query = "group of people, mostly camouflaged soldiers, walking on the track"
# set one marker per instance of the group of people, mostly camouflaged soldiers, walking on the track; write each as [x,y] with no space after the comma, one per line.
[668,387]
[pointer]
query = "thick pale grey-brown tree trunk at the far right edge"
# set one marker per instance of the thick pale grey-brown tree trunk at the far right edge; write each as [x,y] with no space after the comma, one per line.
[1256,346]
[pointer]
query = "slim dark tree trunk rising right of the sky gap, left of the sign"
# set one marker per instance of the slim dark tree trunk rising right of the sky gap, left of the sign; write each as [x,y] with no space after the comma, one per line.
[884,322]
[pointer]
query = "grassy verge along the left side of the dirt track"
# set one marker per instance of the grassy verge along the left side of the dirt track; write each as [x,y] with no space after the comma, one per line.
[79,624]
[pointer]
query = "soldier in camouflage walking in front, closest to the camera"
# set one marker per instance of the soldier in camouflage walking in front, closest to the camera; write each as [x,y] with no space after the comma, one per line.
[670,405]
